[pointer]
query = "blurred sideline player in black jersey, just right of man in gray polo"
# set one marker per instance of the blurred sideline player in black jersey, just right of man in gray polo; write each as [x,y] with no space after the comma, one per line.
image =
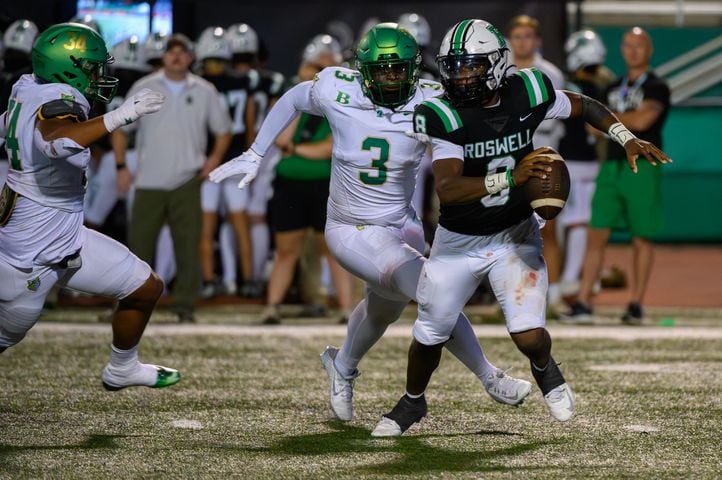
[213,50]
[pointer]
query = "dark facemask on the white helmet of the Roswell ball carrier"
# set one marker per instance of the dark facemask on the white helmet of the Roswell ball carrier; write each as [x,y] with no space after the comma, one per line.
[469,79]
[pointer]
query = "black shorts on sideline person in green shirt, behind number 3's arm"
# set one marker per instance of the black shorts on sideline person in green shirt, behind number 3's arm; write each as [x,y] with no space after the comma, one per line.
[298,204]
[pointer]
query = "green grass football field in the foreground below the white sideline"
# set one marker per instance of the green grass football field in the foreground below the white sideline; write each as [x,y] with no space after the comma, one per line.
[254,406]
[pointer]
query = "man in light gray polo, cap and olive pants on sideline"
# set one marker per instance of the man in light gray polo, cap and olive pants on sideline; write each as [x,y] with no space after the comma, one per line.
[172,162]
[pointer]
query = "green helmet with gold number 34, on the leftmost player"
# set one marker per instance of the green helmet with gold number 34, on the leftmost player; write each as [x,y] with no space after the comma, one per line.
[76,55]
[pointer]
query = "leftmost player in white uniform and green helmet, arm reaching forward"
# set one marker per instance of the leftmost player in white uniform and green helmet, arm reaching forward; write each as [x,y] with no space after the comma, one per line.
[42,238]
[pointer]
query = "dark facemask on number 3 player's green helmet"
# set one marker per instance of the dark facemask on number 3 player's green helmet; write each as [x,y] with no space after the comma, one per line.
[390,83]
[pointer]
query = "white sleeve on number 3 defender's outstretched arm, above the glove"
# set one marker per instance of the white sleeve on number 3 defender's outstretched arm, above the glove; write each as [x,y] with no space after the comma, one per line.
[298,99]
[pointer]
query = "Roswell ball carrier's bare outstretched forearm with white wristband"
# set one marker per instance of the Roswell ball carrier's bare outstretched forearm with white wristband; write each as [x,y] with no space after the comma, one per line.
[601,118]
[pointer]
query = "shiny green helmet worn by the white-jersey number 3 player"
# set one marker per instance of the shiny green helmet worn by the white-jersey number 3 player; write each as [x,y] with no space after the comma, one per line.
[389,60]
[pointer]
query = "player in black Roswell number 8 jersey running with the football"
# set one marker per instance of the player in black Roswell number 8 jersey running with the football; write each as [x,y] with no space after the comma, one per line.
[480,132]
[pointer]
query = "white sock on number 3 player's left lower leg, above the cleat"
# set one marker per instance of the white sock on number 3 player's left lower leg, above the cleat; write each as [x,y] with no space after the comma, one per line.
[366,325]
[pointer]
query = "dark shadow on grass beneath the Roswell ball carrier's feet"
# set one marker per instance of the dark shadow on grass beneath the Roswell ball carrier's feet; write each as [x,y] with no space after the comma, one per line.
[413,454]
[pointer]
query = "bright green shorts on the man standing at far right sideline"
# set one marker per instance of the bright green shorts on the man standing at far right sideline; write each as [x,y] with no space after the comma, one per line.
[624,200]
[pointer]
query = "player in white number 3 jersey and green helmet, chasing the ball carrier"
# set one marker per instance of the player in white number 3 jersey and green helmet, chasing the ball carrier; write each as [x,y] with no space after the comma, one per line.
[371,228]
